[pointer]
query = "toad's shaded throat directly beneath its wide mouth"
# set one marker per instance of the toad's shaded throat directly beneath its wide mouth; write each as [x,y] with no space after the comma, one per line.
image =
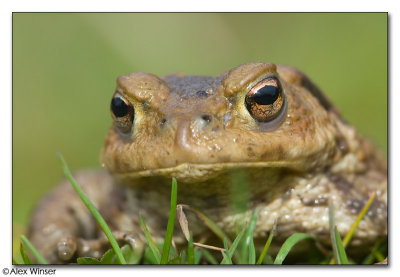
[212,182]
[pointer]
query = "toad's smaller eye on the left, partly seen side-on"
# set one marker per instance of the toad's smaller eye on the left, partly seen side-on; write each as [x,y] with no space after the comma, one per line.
[122,112]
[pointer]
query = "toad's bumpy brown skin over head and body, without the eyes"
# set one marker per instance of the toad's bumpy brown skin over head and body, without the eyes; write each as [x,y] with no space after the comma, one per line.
[198,130]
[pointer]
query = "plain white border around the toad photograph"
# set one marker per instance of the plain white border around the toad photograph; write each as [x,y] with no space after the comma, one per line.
[7,7]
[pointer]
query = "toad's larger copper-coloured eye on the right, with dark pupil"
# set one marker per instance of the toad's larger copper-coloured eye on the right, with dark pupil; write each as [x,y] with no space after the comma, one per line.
[265,100]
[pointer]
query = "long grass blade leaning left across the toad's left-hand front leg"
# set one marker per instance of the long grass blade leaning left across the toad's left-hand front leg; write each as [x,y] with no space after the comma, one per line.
[92,210]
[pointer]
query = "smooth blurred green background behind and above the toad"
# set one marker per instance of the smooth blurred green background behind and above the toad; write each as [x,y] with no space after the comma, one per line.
[65,66]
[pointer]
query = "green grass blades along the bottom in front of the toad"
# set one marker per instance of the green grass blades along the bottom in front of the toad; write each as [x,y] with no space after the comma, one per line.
[241,251]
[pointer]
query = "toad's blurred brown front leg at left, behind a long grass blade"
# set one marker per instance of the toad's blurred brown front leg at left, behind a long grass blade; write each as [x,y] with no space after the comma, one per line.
[62,228]
